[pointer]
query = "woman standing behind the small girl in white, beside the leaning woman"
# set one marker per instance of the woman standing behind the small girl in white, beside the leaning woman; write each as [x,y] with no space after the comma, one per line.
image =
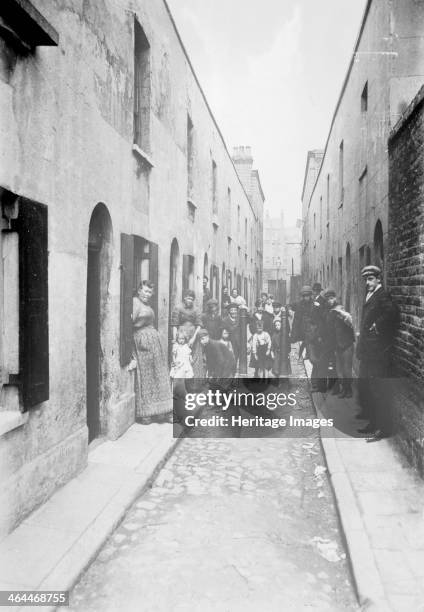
[188,319]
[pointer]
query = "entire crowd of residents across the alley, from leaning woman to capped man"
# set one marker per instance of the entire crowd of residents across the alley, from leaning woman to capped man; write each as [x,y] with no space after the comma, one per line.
[207,343]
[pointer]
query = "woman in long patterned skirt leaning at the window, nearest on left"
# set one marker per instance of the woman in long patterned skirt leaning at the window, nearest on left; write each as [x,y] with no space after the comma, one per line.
[152,387]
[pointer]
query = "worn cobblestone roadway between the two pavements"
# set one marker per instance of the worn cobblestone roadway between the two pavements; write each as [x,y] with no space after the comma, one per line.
[229,524]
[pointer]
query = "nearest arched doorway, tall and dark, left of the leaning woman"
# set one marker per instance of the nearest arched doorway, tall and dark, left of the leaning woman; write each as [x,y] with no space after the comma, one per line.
[99,261]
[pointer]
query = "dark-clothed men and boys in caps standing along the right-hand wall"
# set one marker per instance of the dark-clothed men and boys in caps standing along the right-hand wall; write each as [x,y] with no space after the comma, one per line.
[325,331]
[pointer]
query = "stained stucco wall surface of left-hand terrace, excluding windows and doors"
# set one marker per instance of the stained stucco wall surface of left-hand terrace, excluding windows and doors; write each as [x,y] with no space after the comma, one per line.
[66,141]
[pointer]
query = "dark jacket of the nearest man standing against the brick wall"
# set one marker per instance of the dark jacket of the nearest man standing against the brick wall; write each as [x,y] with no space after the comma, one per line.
[381,311]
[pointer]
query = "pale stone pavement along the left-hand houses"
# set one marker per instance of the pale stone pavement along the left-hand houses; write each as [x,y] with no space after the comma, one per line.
[50,549]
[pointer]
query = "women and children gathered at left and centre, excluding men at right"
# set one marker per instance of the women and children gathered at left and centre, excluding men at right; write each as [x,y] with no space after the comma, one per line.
[204,343]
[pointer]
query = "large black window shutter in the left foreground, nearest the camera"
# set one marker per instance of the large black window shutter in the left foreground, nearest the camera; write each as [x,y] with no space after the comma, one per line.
[33,302]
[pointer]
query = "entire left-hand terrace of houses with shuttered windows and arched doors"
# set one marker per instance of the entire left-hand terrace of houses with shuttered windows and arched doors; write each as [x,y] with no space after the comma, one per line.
[113,170]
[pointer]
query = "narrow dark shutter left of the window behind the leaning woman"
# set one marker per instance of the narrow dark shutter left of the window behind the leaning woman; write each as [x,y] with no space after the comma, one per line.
[127,275]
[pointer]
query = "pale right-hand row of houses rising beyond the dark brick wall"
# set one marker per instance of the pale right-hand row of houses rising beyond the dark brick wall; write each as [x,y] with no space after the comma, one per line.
[345,199]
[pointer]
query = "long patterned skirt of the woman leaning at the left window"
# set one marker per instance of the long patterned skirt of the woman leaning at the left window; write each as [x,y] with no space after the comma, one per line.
[152,387]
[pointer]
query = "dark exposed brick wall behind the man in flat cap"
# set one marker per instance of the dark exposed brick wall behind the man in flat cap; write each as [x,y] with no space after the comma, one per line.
[405,274]
